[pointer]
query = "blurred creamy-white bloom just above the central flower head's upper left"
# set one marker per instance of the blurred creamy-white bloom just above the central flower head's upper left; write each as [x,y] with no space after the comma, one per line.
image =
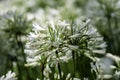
[43,15]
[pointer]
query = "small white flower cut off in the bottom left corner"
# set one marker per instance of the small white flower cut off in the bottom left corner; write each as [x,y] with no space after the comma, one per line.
[9,76]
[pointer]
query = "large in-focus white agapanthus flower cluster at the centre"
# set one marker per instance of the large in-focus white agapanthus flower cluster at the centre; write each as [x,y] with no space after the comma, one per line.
[55,42]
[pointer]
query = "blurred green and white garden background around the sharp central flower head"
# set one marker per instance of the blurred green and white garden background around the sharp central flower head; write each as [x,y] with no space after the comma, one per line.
[17,18]
